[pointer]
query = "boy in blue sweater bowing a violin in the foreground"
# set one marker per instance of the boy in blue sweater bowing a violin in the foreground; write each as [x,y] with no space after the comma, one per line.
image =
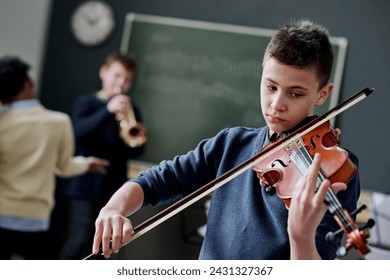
[245,221]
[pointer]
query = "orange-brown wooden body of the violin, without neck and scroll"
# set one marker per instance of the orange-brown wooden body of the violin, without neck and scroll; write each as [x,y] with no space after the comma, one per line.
[279,170]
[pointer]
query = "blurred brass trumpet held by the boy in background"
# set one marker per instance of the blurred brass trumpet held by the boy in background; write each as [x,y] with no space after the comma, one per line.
[132,132]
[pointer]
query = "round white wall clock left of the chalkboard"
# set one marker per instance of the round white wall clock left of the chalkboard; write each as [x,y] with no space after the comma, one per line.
[92,22]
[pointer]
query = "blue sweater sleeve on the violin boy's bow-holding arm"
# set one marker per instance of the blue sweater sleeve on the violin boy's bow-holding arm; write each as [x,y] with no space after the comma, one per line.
[184,174]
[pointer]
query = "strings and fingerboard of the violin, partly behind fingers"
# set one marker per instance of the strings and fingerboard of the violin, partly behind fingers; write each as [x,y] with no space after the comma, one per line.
[303,163]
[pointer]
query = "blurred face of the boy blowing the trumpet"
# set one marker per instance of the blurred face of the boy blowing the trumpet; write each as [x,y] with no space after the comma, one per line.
[115,79]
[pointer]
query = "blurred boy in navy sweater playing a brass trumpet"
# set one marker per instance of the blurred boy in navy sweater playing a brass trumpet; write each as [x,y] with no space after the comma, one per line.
[106,124]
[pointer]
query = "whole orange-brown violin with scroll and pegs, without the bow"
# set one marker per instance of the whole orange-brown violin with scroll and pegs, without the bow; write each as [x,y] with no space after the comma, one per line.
[283,169]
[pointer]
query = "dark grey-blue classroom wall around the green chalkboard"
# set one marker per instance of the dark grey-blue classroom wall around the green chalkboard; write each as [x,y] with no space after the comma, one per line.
[71,69]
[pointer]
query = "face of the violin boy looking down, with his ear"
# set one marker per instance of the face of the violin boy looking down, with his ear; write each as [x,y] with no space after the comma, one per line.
[289,94]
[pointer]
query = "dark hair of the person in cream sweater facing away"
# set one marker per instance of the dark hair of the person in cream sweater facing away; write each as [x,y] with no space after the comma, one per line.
[13,74]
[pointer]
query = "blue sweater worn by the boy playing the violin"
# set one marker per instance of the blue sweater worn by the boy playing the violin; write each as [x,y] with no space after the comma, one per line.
[244,221]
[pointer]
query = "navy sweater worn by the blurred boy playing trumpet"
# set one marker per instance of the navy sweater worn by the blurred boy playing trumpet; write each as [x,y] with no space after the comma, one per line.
[97,134]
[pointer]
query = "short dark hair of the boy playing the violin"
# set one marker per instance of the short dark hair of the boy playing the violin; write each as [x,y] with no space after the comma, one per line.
[304,44]
